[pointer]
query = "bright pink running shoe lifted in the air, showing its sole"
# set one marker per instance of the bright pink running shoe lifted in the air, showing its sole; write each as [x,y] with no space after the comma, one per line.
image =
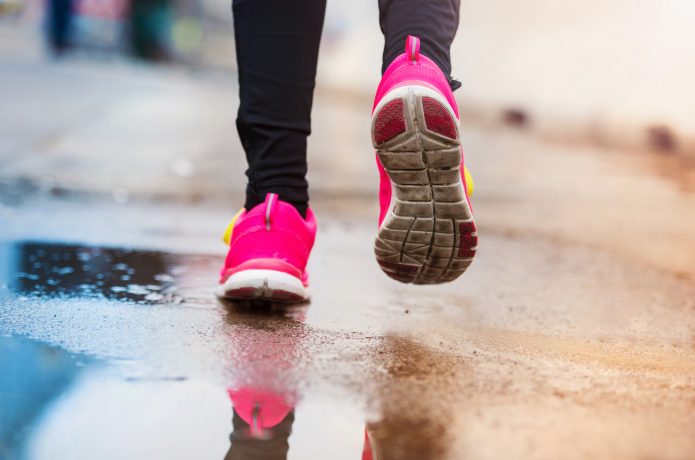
[426,230]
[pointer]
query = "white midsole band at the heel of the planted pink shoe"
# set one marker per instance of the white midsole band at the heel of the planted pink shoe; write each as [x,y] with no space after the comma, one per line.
[264,281]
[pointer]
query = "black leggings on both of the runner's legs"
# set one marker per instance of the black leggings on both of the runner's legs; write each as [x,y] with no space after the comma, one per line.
[277,43]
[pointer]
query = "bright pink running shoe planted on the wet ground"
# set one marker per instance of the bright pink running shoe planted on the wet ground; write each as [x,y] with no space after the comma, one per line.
[269,247]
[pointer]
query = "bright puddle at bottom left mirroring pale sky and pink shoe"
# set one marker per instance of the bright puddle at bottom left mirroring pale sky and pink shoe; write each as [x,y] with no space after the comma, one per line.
[50,398]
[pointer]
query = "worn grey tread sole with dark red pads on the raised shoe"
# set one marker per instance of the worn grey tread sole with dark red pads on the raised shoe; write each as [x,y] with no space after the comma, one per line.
[429,236]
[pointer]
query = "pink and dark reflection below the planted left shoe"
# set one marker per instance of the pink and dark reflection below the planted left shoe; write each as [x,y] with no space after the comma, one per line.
[265,338]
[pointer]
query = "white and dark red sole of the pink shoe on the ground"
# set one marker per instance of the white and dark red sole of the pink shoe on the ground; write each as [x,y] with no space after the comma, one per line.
[263,285]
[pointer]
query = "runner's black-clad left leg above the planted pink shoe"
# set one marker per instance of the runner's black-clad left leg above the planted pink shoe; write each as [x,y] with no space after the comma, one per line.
[277,43]
